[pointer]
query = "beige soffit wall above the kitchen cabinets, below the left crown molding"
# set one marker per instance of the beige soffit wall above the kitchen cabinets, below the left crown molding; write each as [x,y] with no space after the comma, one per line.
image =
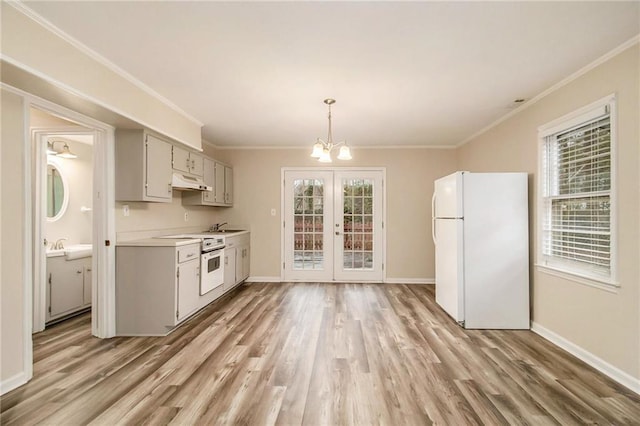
[30,46]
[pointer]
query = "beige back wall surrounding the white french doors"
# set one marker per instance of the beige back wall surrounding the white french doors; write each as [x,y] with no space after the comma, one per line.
[409,186]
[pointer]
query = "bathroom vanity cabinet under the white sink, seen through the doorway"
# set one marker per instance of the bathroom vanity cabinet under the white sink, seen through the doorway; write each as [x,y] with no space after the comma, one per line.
[68,286]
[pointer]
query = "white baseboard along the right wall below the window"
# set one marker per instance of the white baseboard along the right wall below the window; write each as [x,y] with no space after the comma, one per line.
[599,364]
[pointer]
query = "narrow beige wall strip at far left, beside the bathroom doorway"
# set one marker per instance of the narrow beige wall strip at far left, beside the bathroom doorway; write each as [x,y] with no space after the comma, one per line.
[12,225]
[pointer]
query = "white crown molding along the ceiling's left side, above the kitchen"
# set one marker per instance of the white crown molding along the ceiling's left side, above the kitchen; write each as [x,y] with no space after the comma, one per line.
[31,14]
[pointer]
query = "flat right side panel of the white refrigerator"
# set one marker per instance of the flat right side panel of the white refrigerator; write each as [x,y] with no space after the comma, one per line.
[496,244]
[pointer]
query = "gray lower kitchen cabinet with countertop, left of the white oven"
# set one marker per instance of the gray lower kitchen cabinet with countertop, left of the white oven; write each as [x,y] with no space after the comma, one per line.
[157,285]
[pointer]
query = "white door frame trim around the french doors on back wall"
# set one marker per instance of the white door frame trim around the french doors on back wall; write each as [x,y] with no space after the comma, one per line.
[283,170]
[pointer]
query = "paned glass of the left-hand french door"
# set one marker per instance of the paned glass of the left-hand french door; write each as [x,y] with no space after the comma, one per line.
[308,226]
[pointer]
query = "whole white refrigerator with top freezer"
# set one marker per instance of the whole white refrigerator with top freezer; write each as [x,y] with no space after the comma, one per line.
[481,234]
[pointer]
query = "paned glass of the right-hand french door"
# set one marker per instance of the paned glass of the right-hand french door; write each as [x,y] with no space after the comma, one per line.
[358,224]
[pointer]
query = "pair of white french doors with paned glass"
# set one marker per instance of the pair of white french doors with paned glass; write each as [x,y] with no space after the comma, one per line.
[333,225]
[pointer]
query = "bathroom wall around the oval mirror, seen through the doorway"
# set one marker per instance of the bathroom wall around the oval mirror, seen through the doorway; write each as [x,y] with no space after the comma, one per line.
[74,224]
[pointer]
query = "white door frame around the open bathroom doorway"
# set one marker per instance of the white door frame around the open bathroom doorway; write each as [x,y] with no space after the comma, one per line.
[103,230]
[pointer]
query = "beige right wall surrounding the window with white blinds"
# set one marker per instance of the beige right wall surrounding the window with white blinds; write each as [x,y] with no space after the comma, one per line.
[603,323]
